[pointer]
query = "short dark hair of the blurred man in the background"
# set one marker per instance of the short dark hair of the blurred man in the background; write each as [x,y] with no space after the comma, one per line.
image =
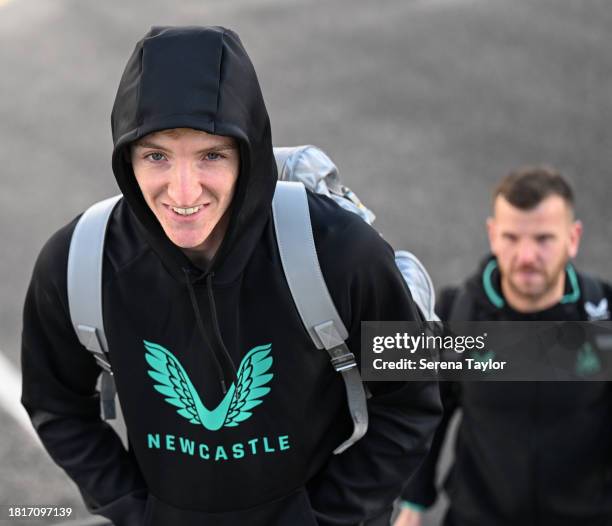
[527,187]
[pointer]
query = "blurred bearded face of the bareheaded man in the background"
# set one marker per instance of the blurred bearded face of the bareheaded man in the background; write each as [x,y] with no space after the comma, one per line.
[532,249]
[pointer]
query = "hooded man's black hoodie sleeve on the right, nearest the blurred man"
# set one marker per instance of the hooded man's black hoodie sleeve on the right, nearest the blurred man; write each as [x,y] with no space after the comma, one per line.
[363,481]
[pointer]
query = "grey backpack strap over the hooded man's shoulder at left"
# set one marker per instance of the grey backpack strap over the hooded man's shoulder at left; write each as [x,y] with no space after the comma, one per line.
[85,292]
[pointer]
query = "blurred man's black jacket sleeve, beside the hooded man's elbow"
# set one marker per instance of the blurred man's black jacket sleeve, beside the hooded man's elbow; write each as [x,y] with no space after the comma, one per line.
[420,491]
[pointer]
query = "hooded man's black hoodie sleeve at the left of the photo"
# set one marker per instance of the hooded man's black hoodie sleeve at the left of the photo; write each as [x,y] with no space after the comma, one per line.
[59,394]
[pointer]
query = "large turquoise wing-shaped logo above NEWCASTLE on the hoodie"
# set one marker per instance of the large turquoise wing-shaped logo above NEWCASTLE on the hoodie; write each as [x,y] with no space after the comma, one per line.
[173,382]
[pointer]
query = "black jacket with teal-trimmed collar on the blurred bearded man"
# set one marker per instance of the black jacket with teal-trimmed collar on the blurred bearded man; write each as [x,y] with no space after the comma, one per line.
[527,453]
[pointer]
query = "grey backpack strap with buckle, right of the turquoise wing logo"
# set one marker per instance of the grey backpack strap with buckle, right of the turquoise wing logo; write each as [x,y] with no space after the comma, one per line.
[312,299]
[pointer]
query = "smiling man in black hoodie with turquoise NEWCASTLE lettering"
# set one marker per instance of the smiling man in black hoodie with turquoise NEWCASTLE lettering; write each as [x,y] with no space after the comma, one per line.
[194,290]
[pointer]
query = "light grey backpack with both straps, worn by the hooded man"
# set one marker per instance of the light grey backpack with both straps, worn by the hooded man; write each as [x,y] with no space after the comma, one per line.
[299,168]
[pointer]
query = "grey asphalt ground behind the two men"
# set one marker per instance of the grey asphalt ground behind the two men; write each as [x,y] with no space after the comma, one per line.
[424,105]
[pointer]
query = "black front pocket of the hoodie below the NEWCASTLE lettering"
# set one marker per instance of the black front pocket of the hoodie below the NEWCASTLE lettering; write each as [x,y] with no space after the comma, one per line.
[291,510]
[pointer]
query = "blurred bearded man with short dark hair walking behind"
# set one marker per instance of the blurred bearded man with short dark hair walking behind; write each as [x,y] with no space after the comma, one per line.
[527,453]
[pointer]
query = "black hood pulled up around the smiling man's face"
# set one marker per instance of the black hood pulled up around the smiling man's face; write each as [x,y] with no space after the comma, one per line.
[199,78]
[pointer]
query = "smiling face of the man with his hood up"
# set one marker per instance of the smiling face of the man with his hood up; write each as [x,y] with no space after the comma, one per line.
[188,178]
